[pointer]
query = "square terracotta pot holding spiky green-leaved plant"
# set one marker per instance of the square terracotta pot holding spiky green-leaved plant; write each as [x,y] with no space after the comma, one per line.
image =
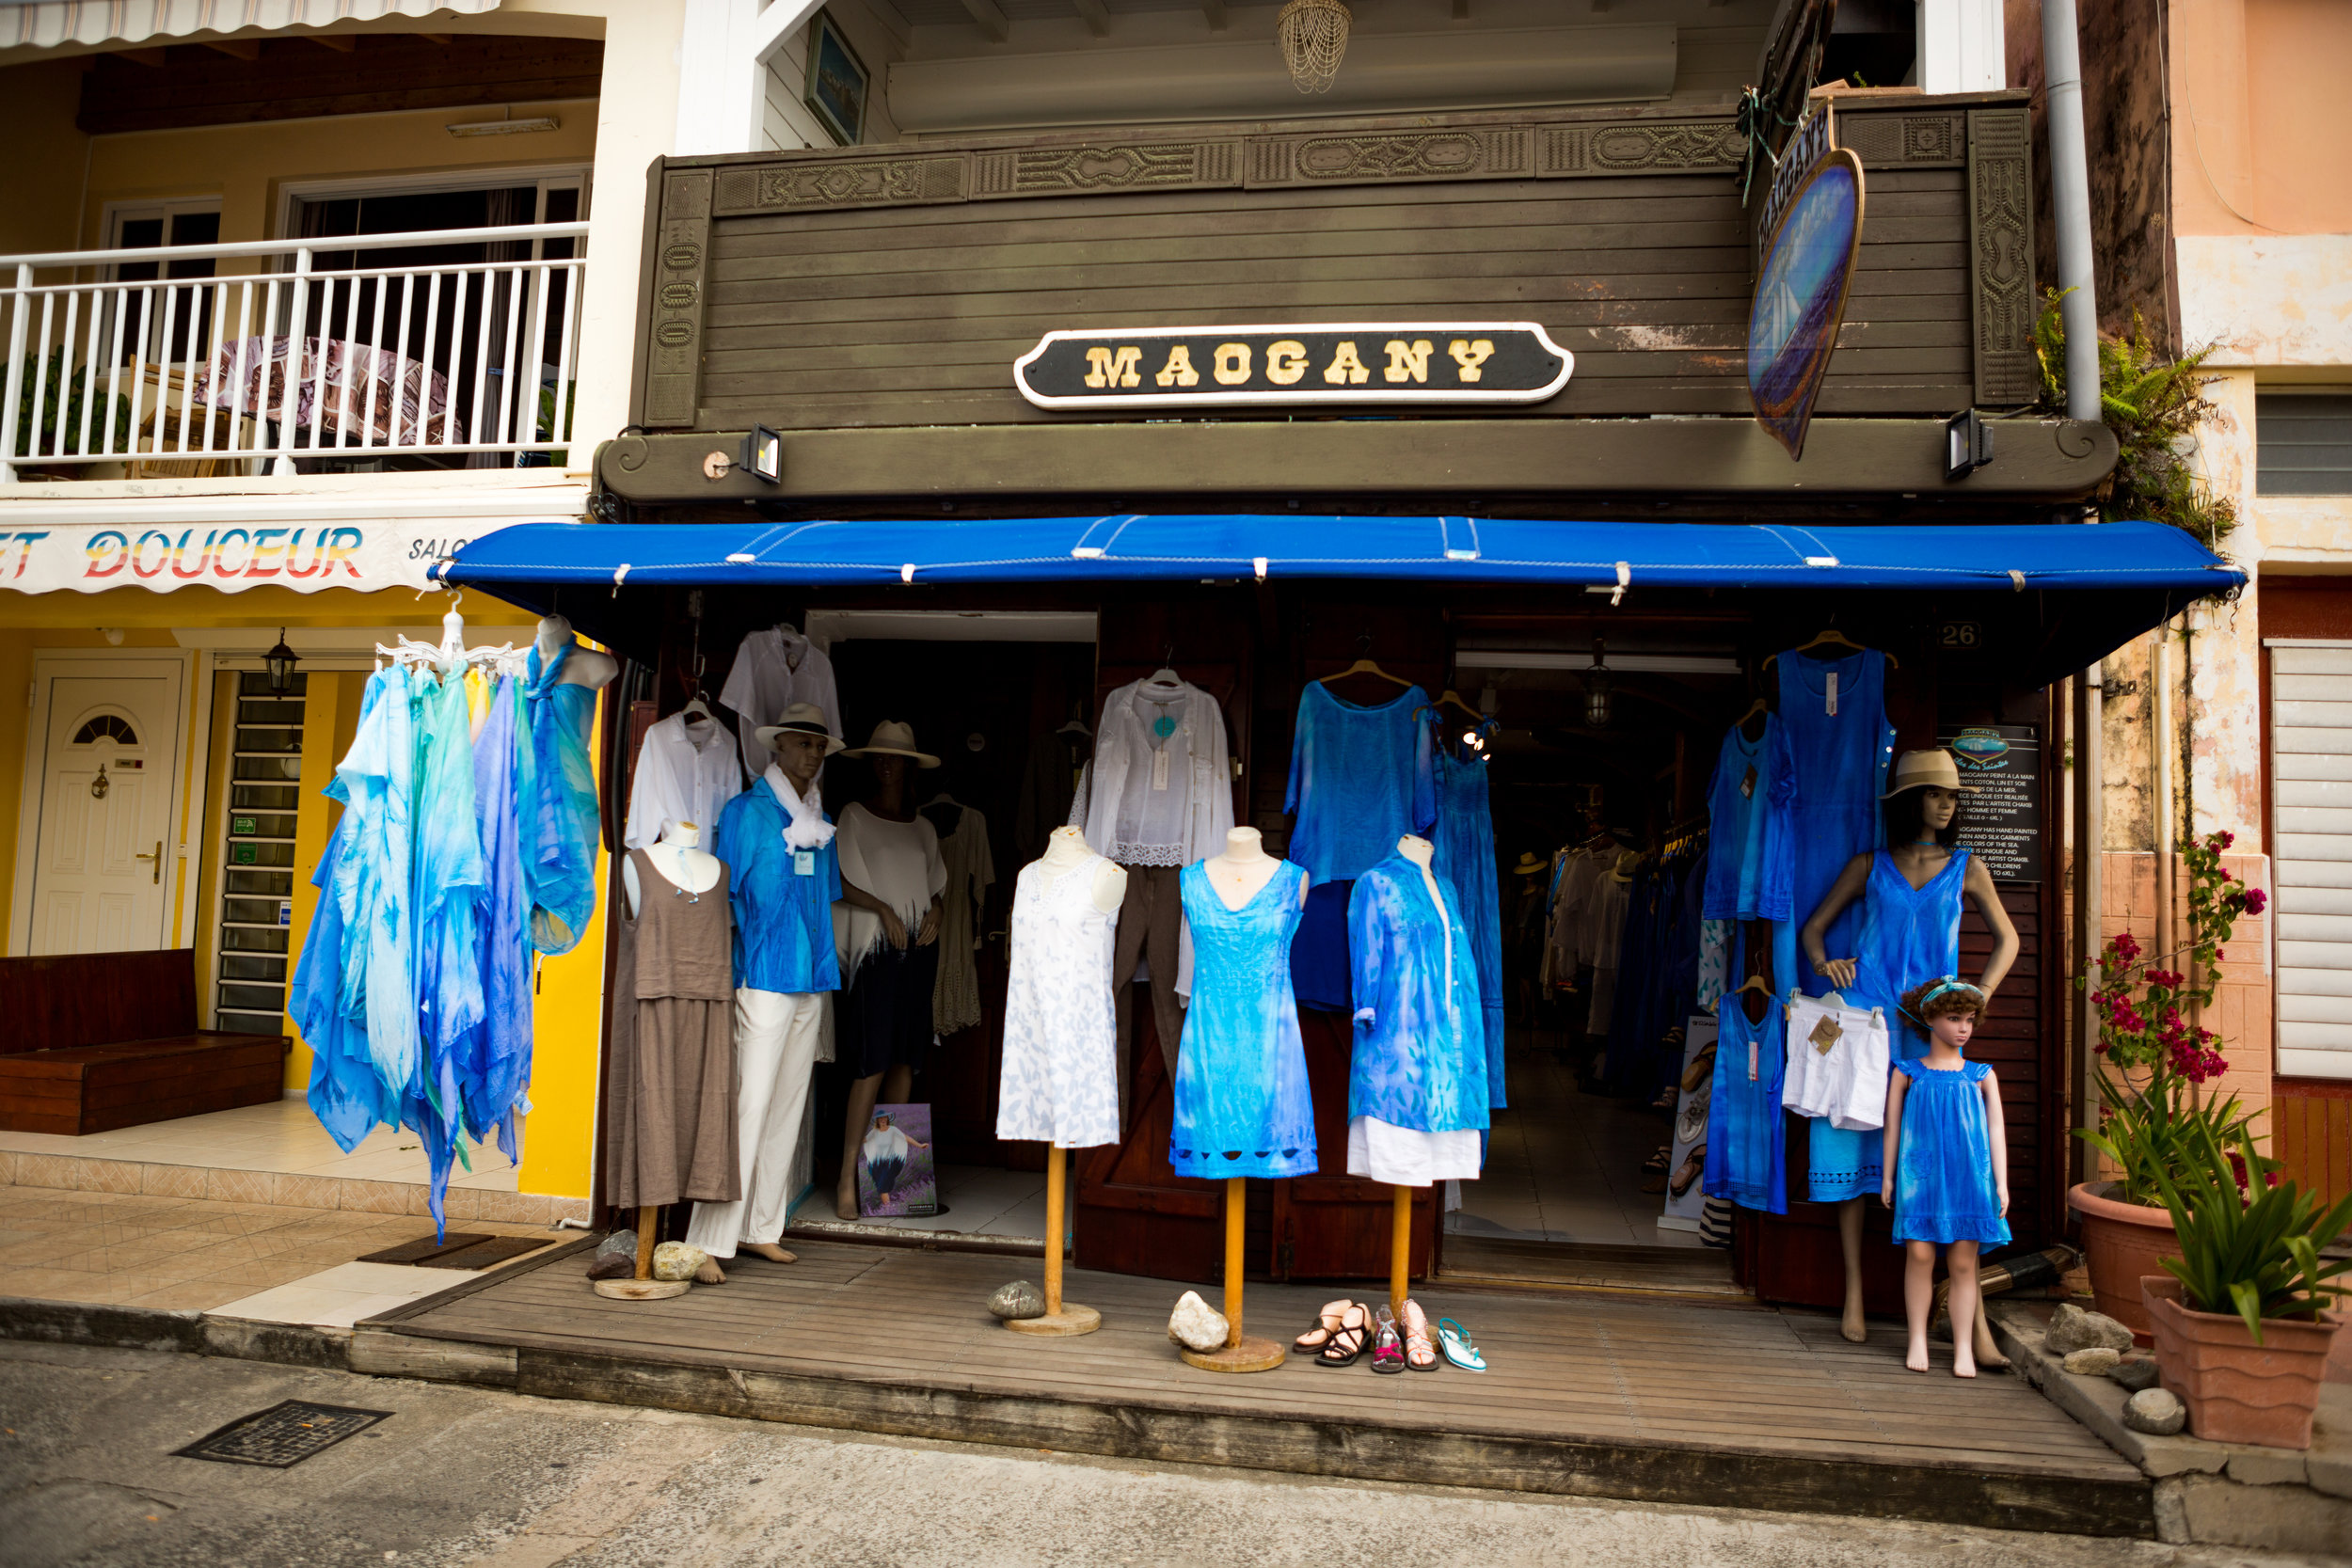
[2238,1391]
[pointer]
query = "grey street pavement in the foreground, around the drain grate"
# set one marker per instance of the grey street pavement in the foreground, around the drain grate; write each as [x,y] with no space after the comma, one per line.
[455,1475]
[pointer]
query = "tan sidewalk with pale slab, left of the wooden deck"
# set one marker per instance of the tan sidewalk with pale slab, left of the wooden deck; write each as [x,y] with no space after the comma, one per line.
[203,1254]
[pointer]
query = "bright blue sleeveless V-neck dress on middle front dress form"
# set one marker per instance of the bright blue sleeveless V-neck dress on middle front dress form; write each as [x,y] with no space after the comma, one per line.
[1243,1104]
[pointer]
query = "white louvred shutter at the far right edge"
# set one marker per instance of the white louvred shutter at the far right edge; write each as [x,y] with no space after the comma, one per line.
[2311,791]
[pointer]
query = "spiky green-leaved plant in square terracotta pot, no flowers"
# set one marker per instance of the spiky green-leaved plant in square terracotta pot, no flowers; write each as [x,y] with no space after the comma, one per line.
[2243,1315]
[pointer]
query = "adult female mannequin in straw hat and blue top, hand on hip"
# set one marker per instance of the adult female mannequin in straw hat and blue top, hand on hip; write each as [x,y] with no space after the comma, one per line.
[1909,934]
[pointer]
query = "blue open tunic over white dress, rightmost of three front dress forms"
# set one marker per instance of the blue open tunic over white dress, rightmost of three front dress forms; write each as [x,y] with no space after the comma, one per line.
[1419,1028]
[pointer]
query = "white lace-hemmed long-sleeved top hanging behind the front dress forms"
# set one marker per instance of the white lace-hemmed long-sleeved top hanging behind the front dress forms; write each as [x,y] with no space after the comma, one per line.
[1161,791]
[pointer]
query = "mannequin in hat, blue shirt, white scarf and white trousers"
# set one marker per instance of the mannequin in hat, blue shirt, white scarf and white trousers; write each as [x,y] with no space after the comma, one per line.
[787,873]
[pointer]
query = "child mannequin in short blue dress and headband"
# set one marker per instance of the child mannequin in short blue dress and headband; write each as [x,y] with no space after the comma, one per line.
[1949,1160]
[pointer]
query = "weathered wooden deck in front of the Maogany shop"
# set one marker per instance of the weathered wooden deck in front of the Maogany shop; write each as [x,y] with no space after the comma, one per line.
[1589,1395]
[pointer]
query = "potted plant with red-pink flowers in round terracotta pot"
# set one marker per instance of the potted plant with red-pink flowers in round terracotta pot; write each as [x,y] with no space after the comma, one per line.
[2153,1101]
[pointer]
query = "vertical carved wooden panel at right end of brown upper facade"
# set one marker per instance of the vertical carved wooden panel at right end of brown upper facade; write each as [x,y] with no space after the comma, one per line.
[2003,255]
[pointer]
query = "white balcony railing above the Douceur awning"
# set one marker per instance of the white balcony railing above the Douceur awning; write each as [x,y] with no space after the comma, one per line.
[448,349]
